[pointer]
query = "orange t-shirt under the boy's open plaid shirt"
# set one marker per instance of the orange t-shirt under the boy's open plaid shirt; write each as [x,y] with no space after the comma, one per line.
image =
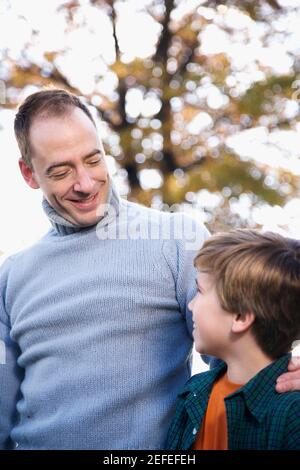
[213,433]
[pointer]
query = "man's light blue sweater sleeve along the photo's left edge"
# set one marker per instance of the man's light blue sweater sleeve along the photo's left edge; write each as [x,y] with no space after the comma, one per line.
[10,373]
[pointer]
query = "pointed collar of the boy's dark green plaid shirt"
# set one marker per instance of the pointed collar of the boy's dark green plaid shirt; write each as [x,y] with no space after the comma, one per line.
[257,393]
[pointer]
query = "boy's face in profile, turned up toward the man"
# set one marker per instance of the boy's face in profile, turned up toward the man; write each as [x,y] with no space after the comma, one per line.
[212,324]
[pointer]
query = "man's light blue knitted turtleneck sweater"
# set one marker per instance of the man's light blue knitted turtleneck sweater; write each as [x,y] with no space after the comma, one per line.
[96,331]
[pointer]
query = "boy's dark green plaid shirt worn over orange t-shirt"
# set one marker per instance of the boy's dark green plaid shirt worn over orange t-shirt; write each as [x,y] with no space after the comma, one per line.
[257,416]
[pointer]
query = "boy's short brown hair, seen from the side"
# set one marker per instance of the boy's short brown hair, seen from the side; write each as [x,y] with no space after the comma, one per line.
[259,273]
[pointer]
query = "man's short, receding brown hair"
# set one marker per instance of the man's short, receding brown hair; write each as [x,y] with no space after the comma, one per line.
[47,103]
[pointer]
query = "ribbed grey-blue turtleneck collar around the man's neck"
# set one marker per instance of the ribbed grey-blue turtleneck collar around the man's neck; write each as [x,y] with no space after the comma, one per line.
[65,227]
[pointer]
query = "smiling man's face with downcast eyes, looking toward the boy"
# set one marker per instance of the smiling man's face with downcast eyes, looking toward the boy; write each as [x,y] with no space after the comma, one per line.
[68,165]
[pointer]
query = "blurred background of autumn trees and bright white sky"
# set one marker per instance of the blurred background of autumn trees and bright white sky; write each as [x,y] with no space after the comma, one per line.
[197,103]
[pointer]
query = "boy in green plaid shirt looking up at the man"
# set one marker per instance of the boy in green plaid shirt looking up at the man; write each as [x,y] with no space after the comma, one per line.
[246,312]
